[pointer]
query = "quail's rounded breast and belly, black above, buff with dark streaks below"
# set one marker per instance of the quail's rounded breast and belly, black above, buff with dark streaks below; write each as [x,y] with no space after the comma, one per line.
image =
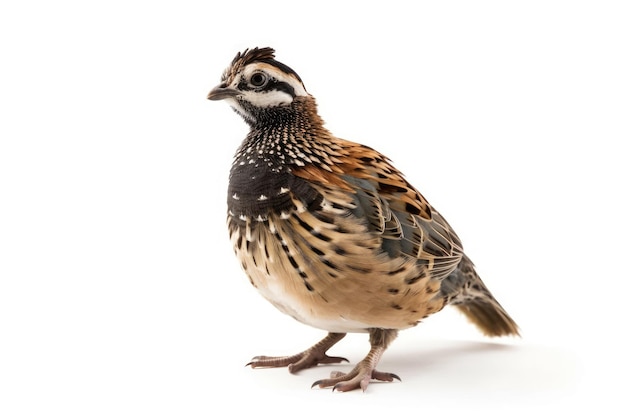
[306,252]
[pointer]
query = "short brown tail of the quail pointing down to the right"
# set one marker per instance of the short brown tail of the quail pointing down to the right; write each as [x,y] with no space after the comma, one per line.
[472,297]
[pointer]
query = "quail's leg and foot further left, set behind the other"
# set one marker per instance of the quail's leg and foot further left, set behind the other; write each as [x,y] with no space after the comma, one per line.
[313,356]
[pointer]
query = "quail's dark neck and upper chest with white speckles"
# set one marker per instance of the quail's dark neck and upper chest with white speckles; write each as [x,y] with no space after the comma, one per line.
[261,178]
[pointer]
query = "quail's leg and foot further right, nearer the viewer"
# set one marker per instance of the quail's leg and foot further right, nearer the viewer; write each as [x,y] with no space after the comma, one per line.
[365,370]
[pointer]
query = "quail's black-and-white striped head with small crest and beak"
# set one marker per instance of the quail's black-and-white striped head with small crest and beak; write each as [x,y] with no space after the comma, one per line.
[255,84]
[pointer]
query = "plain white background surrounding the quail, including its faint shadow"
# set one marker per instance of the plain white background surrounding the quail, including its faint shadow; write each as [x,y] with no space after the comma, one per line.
[119,292]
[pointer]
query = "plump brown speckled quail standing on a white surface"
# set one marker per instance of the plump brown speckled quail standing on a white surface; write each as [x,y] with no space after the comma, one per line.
[331,233]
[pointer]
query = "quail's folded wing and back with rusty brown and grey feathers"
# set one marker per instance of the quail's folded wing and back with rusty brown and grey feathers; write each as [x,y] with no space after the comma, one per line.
[391,207]
